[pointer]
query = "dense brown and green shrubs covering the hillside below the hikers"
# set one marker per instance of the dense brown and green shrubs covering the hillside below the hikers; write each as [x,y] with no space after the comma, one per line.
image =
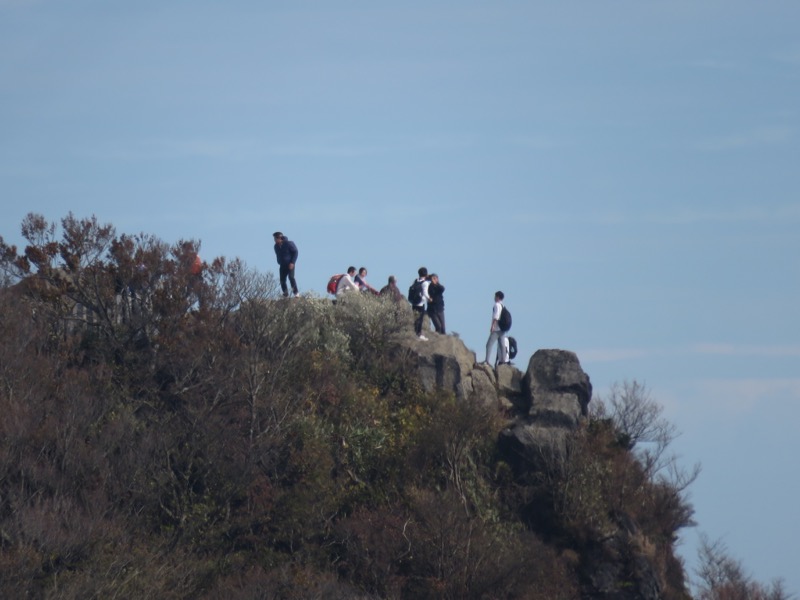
[170,433]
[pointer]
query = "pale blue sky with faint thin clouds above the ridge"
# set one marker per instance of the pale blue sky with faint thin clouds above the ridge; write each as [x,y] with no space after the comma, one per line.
[625,171]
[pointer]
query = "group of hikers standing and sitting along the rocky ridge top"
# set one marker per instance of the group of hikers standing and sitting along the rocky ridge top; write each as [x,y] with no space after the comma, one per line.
[426,296]
